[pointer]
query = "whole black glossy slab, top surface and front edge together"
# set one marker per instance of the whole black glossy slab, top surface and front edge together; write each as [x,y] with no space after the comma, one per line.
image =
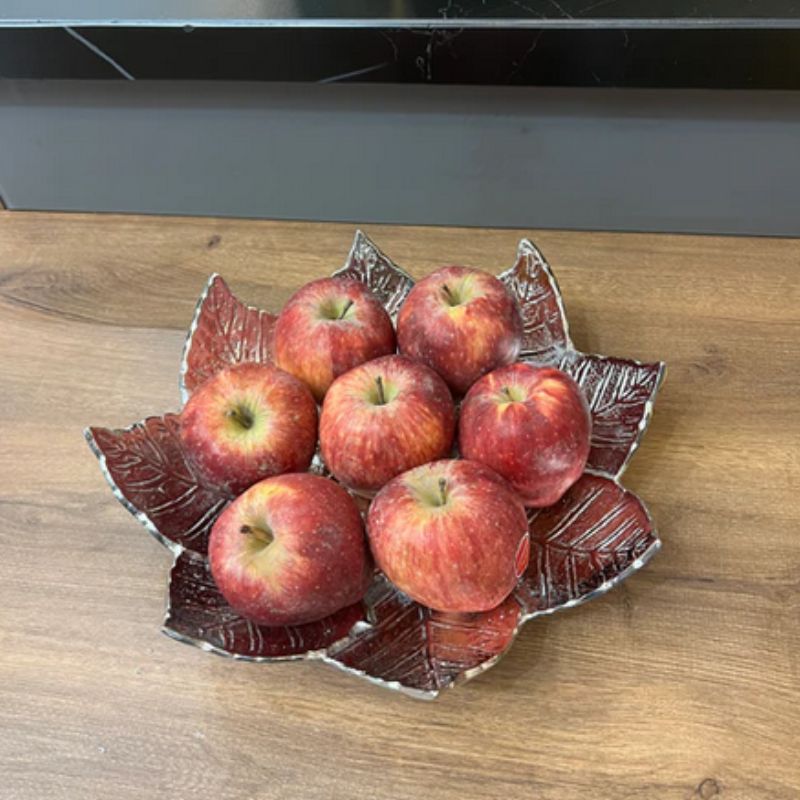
[738,44]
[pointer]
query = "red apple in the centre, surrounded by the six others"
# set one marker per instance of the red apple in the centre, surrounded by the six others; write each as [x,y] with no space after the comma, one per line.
[383,418]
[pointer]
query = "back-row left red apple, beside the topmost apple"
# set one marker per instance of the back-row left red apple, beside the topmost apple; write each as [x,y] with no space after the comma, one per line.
[328,327]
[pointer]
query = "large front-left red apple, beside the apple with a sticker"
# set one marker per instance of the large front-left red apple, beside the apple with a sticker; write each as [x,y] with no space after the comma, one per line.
[290,550]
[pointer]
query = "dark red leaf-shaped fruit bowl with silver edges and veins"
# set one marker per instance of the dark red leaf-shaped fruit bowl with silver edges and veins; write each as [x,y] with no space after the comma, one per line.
[590,540]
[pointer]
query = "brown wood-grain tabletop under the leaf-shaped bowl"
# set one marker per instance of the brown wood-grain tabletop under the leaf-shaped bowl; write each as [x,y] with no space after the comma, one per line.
[683,683]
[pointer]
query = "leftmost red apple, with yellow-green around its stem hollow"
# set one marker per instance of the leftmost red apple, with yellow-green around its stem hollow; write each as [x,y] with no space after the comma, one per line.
[248,422]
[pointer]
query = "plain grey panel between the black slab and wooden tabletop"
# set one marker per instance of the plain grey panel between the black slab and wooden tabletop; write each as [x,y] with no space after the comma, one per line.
[716,162]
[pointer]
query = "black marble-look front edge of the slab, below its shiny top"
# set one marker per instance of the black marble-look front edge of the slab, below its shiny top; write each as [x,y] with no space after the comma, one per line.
[613,58]
